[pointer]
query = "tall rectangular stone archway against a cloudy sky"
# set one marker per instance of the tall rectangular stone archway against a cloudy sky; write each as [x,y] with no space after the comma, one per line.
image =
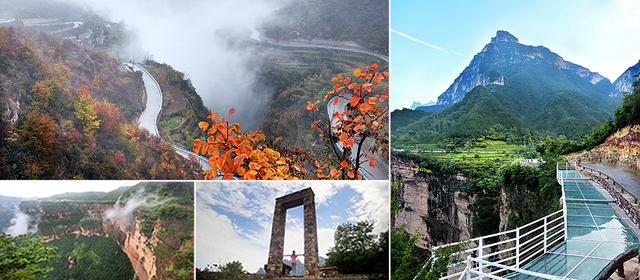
[306,198]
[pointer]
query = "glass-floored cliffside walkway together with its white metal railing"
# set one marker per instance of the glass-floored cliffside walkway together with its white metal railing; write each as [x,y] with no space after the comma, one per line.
[584,240]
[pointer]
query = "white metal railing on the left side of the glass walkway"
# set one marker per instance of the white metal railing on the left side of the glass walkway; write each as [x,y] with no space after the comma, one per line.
[505,252]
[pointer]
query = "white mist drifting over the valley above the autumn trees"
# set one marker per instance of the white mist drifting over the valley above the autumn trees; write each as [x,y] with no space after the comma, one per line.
[199,37]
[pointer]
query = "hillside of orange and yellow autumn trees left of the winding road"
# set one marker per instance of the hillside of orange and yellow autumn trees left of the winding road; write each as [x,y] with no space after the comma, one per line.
[70,112]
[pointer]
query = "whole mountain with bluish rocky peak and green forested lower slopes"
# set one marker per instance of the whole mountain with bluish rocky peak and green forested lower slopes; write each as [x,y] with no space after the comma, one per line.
[511,86]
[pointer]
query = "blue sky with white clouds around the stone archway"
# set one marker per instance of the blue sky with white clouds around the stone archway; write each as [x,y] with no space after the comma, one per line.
[233,219]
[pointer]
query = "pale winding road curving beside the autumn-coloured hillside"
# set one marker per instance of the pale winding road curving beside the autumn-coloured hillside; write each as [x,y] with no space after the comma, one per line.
[149,117]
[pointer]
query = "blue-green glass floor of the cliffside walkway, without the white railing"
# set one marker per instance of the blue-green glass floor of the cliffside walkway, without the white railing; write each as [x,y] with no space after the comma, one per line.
[595,234]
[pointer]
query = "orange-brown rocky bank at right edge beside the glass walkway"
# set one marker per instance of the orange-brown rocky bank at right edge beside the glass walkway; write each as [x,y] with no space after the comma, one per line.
[621,149]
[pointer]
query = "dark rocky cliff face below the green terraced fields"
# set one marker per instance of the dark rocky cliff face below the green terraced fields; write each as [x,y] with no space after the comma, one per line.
[428,207]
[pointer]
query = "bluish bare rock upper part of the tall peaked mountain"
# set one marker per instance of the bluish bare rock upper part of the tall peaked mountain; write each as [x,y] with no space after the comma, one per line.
[503,57]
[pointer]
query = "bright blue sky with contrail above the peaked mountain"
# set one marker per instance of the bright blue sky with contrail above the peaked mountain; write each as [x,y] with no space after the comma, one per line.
[600,35]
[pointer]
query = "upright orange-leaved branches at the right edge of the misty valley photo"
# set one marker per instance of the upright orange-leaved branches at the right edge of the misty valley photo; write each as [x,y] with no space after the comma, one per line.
[363,118]
